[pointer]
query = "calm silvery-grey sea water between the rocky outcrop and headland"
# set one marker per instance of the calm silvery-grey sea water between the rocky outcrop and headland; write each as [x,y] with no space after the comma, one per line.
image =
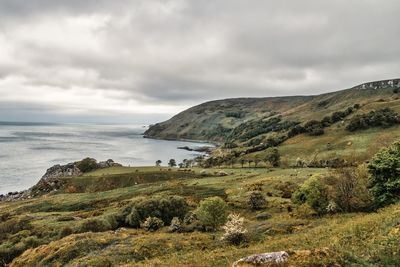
[28,150]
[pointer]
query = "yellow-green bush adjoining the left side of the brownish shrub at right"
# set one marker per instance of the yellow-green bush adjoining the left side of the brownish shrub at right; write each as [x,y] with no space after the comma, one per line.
[313,193]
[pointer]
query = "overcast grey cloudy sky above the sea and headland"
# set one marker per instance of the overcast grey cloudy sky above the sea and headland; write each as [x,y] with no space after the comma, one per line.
[142,61]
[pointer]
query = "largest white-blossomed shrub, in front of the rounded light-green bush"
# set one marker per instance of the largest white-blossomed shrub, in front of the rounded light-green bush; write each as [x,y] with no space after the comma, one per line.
[234,232]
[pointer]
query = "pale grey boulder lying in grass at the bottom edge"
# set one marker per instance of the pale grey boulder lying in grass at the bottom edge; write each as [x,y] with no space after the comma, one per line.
[264,259]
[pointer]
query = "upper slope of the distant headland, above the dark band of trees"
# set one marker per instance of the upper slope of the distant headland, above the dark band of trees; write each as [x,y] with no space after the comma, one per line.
[213,121]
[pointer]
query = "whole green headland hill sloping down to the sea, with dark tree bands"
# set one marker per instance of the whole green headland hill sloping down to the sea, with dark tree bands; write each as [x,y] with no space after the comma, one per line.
[317,125]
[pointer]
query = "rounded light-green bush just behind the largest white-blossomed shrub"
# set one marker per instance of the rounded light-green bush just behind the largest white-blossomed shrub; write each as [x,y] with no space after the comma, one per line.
[212,212]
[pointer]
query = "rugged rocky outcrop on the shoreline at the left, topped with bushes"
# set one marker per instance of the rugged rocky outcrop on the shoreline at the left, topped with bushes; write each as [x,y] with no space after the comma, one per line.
[51,181]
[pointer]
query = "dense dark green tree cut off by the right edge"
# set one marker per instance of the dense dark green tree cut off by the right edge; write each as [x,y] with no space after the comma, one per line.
[385,175]
